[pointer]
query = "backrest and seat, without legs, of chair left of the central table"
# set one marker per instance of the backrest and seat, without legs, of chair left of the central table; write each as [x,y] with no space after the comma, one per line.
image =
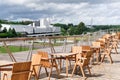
[44,62]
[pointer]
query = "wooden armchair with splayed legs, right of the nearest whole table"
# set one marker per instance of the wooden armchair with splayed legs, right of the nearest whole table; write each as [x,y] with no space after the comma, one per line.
[83,62]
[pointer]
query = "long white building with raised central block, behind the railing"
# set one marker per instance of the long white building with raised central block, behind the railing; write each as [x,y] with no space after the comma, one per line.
[37,27]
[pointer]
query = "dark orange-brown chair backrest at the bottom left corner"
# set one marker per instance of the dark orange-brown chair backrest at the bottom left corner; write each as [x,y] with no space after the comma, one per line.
[21,71]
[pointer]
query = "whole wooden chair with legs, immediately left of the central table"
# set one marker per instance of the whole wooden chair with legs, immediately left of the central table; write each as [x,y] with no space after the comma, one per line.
[47,62]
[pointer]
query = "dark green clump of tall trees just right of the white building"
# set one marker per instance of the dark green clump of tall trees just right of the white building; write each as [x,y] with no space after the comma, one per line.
[71,29]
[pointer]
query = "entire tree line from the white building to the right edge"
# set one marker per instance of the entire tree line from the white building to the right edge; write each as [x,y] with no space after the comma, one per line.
[81,28]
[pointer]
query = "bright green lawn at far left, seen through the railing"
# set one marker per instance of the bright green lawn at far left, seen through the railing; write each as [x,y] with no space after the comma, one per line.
[13,49]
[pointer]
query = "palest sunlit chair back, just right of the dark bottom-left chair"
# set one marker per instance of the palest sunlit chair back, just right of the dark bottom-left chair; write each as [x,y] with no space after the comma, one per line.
[36,59]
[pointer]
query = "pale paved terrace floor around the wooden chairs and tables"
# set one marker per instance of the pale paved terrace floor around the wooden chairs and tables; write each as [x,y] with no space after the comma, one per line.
[104,71]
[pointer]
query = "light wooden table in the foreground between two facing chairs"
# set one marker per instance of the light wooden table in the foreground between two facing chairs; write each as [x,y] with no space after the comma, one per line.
[66,56]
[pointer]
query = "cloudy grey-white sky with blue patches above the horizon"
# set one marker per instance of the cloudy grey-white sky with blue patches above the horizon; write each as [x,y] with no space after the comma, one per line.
[63,11]
